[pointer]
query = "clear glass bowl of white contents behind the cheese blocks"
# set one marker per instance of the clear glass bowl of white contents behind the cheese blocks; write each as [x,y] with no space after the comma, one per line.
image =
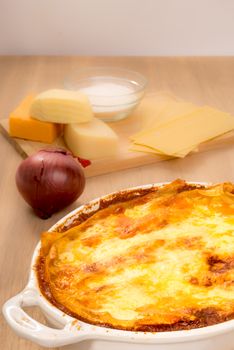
[113,92]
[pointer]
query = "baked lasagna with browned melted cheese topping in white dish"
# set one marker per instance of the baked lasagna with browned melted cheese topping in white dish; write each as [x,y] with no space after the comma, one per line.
[156,259]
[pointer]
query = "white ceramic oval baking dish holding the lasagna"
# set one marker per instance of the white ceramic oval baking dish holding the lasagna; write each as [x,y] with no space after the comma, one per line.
[73,334]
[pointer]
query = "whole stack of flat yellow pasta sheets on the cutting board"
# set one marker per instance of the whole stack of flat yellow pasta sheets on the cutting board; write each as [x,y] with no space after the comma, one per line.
[173,127]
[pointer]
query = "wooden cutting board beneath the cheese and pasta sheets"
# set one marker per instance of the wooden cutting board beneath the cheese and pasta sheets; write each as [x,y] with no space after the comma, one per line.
[124,160]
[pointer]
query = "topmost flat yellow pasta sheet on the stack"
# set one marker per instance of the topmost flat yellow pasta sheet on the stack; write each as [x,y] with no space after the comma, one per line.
[199,126]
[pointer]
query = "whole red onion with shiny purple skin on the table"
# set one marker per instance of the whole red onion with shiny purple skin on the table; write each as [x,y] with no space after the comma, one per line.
[50,180]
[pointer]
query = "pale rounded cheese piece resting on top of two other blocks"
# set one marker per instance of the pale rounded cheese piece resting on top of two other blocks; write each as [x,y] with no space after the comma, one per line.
[62,106]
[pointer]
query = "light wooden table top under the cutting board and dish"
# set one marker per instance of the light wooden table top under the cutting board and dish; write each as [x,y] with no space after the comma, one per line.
[200,80]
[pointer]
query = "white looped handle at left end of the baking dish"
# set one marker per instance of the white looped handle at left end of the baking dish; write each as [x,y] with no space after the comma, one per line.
[28,328]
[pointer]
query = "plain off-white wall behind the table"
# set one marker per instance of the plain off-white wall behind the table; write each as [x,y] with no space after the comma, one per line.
[117,27]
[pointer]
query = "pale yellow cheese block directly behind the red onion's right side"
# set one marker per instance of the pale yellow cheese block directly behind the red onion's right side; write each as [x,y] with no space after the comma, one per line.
[91,140]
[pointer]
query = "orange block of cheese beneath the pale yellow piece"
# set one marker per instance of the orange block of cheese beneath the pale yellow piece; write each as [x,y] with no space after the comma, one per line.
[21,125]
